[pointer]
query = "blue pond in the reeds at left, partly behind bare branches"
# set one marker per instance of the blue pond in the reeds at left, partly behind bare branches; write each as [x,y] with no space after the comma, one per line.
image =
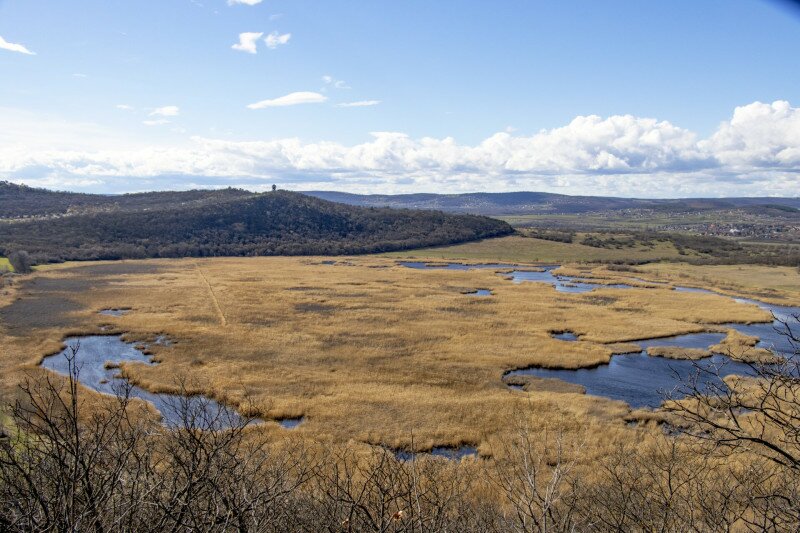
[97,359]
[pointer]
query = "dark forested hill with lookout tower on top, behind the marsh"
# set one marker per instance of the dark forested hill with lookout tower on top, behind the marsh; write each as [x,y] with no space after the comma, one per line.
[273,223]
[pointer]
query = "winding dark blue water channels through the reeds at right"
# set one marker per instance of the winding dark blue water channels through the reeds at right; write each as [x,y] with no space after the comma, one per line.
[637,378]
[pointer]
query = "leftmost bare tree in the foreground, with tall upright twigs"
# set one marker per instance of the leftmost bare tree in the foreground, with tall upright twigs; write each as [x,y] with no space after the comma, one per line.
[64,466]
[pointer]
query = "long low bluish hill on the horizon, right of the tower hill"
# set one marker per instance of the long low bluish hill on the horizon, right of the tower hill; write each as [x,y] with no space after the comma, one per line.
[540,203]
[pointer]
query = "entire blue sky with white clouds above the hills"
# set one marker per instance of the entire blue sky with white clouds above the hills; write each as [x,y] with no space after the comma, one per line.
[620,98]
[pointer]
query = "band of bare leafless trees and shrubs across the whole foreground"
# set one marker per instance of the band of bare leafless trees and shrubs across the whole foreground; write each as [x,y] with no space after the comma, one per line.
[68,463]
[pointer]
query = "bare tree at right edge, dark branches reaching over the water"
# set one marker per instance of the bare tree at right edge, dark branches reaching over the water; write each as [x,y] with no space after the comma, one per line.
[753,419]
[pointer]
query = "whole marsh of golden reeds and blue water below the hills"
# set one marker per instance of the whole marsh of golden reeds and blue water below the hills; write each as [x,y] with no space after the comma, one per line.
[568,365]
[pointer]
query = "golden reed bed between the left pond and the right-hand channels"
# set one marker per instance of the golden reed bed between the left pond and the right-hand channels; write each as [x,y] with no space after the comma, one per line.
[364,349]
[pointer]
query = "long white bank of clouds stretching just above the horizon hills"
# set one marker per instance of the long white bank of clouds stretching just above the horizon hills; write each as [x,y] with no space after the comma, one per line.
[754,153]
